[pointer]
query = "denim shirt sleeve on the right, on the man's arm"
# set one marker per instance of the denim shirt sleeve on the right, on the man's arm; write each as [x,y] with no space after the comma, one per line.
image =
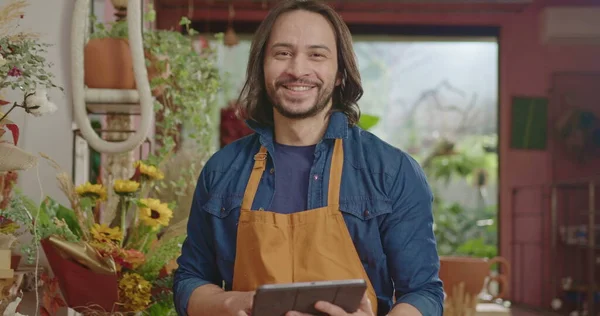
[409,241]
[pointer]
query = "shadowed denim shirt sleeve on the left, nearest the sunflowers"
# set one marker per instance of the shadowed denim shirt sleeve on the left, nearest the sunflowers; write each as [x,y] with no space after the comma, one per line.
[196,265]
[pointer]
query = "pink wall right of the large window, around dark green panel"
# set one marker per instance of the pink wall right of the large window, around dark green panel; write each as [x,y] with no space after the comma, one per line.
[526,69]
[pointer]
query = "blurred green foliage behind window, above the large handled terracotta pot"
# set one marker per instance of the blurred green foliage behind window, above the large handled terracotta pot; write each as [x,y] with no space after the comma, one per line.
[459,230]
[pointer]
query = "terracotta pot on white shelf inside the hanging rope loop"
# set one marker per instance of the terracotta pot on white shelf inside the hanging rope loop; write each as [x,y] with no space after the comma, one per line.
[108,64]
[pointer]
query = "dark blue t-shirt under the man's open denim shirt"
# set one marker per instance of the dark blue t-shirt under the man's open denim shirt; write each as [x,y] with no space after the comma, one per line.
[292,172]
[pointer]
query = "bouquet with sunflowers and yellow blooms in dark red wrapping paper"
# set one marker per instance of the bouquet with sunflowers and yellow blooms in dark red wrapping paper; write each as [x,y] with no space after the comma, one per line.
[109,261]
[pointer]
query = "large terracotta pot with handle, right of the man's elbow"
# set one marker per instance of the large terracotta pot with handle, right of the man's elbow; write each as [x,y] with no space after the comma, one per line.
[473,272]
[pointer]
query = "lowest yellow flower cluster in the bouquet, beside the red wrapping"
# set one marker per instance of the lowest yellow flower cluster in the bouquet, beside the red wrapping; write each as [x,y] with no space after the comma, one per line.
[134,292]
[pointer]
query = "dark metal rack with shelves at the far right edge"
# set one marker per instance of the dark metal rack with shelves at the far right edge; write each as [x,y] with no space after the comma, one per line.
[574,251]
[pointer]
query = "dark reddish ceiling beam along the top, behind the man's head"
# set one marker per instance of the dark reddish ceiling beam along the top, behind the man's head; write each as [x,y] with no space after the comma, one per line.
[467,12]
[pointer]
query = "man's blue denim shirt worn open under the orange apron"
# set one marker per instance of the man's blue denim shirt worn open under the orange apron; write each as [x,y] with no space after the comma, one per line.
[385,200]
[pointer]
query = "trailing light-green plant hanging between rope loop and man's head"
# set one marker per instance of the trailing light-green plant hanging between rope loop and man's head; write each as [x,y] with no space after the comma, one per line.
[190,92]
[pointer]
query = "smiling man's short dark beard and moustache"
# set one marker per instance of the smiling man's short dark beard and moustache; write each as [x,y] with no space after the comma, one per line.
[324,96]
